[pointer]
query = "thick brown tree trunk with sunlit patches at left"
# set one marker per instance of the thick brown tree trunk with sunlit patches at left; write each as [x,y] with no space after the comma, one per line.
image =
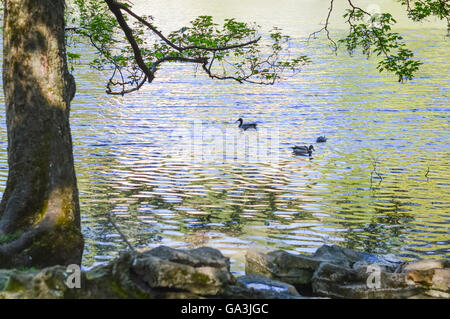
[39,211]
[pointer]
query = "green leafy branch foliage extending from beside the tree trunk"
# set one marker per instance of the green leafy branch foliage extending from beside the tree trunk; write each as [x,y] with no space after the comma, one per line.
[233,51]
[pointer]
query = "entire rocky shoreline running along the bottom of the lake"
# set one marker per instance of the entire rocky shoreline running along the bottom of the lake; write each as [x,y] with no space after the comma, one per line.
[163,272]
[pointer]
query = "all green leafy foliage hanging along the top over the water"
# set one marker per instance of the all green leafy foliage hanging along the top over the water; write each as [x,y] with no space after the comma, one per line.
[134,48]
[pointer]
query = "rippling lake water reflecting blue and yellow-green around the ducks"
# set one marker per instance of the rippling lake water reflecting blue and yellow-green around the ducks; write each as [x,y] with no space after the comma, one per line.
[380,184]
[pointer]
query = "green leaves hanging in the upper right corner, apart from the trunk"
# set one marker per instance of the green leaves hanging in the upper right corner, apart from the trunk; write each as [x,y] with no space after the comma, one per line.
[372,34]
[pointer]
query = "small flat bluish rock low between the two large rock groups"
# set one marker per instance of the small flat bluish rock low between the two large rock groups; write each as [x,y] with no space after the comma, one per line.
[271,289]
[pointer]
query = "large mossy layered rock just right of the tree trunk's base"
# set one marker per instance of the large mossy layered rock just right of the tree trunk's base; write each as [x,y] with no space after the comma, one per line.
[165,272]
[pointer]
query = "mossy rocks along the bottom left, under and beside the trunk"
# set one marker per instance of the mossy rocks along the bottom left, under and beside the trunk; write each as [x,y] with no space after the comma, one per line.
[162,272]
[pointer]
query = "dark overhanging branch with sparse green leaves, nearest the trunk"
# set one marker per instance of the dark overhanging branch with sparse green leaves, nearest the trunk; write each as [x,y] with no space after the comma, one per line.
[255,67]
